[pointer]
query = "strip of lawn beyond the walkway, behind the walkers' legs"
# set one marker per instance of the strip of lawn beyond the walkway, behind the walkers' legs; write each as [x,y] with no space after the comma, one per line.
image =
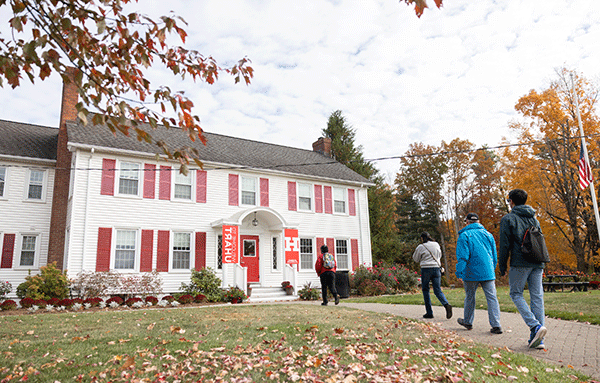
[583,306]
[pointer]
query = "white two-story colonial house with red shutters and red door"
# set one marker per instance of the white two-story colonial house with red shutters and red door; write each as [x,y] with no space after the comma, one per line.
[256,213]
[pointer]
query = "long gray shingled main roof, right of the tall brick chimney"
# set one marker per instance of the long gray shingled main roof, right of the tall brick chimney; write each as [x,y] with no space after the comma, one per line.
[222,149]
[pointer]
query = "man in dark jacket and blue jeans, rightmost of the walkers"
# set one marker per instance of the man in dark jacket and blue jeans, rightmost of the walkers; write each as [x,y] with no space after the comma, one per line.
[512,229]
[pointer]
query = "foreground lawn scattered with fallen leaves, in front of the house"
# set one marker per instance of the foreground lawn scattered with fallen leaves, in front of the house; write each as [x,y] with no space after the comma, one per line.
[279,343]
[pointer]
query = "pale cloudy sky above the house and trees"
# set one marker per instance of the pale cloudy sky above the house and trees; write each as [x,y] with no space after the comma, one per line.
[455,72]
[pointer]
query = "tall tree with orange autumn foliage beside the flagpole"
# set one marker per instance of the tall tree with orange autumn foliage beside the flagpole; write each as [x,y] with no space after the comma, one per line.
[546,167]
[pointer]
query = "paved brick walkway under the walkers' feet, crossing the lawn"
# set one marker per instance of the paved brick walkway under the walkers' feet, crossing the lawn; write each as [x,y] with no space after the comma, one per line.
[567,343]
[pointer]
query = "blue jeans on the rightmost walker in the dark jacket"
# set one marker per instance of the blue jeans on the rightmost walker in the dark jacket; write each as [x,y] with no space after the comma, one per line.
[517,277]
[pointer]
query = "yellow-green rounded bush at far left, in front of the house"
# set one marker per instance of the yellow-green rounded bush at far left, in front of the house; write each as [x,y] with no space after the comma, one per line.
[49,283]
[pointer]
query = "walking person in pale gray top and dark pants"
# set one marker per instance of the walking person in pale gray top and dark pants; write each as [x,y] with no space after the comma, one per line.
[428,255]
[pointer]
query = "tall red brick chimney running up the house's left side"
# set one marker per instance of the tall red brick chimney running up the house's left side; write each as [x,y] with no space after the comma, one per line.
[62,175]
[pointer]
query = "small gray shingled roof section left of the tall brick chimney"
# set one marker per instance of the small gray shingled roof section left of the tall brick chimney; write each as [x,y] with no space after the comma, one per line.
[27,140]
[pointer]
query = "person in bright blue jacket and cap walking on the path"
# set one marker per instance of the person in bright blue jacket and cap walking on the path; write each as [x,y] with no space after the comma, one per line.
[476,260]
